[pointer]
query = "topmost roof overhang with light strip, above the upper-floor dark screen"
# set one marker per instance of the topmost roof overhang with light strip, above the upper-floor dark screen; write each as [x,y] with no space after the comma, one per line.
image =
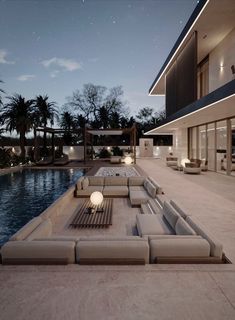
[212,20]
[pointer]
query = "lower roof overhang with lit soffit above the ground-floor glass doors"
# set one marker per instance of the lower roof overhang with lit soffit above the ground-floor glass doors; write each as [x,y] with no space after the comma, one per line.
[218,105]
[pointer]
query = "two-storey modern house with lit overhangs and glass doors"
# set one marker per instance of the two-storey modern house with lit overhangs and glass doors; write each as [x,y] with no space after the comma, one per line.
[198,81]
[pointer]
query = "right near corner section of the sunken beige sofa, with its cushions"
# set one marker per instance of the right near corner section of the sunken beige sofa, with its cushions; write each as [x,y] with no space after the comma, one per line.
[175,236]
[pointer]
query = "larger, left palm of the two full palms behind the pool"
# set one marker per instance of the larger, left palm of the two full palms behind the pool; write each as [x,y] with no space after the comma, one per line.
[17,115]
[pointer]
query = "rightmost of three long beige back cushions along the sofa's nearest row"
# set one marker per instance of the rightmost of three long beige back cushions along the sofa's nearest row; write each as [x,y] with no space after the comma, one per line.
[179,248]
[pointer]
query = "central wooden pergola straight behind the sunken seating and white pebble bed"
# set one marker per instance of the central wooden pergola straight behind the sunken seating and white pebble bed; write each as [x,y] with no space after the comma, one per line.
[111,132]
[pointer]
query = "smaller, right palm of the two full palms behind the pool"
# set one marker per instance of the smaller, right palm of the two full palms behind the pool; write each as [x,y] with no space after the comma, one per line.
[45,112]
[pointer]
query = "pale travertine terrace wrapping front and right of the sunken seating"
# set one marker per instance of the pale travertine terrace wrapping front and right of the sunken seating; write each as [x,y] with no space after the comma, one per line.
[137,292]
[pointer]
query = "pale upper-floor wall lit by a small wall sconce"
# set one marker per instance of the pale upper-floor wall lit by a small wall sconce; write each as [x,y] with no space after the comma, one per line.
[220,61]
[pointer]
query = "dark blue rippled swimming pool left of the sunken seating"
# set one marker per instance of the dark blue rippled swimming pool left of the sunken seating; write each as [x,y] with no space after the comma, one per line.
[25,194]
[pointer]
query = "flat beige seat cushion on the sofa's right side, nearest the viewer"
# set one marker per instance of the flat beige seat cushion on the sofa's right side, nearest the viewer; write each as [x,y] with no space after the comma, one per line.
[152,224]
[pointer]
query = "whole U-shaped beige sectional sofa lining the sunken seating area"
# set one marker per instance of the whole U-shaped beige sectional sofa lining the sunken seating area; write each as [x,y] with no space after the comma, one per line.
[166,234]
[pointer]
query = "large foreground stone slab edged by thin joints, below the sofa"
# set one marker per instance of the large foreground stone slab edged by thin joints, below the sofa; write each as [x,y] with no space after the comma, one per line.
[112,295]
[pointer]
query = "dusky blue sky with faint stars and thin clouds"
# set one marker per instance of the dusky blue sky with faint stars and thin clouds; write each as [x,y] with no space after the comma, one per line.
[54,47]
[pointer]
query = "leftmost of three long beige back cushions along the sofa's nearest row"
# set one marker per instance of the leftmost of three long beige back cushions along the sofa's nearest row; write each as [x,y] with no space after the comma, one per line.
[43,252]
